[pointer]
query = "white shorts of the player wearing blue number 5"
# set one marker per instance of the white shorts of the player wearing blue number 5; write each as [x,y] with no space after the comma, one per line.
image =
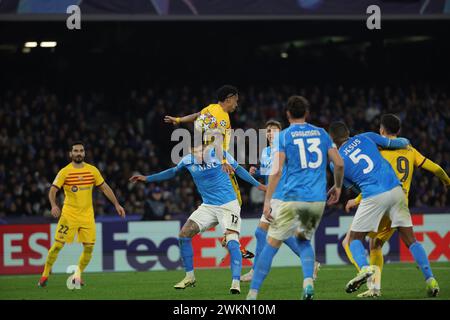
[370,211]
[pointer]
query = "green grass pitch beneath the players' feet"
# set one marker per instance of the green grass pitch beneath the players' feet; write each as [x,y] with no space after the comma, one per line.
[400,281]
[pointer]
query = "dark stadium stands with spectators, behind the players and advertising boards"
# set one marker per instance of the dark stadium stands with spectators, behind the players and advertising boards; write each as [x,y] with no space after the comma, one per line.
[110,84]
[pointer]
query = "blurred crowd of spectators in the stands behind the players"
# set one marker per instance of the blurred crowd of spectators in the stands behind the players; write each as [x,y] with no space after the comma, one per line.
[129,136]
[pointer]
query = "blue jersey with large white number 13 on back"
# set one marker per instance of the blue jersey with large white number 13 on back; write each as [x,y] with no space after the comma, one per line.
[306,149]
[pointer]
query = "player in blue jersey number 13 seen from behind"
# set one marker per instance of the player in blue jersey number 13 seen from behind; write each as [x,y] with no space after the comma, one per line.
[303,150]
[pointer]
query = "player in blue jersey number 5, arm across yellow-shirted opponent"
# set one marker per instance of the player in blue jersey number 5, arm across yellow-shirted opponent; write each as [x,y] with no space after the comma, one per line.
[382,195]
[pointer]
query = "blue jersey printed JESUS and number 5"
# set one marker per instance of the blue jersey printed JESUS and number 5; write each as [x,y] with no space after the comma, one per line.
[365,167]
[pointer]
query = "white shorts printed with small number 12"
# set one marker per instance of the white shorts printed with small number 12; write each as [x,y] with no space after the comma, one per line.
[228,216]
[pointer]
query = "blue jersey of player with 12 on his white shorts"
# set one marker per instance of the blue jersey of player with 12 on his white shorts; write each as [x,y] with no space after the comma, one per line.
[213,184]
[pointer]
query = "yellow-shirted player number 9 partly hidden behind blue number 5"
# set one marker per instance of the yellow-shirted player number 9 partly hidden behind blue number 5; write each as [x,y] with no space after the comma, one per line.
[403,161]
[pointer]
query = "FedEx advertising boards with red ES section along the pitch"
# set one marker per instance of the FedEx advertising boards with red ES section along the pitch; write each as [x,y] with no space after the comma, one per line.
[145,246]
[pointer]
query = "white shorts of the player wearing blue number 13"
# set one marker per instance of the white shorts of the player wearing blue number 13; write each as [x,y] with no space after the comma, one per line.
[296,216]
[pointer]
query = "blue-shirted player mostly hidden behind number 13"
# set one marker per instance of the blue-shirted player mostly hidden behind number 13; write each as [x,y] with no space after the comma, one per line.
[272,127]
